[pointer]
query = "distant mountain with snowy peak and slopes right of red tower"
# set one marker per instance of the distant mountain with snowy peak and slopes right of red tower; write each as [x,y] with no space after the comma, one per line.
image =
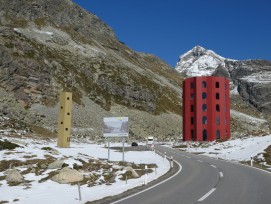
[250,84]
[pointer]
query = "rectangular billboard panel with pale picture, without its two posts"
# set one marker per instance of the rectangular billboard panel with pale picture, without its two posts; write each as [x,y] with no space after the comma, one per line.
[116,127]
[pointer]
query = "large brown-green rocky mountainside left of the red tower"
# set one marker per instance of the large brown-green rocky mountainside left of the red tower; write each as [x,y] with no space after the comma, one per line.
[50,46]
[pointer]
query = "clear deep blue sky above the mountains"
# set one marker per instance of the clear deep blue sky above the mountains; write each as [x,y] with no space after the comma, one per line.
[236,29]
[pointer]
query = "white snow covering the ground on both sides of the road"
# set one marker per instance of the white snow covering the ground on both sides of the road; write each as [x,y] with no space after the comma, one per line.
[52,192]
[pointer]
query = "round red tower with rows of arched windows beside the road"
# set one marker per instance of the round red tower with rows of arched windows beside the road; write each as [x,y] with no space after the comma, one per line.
[206,108]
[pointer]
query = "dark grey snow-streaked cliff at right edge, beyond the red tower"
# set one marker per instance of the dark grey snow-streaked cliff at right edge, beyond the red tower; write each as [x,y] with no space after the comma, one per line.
[253,80]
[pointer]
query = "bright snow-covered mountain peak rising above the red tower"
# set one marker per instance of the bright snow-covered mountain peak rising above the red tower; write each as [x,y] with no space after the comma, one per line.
[199,62]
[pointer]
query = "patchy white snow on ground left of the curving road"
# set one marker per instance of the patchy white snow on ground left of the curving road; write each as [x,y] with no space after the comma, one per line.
[52,192]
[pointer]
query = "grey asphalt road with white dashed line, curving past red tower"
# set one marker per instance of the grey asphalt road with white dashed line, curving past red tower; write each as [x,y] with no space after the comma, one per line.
[207,180]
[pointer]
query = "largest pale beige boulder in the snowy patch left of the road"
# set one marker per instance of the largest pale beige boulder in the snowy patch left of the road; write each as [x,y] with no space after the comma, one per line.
[67,175]
